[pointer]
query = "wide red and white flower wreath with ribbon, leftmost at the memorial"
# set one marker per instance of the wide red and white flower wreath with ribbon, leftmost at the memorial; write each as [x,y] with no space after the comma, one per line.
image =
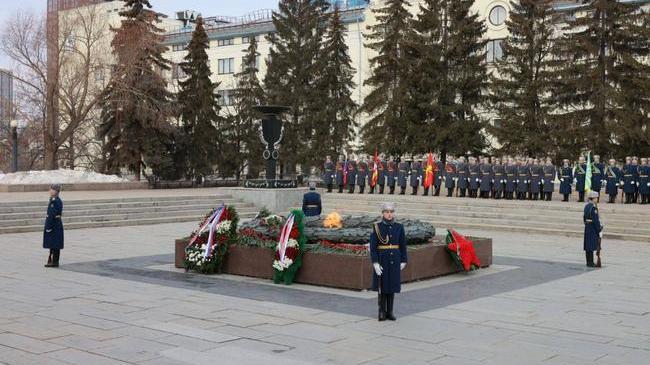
[209,243]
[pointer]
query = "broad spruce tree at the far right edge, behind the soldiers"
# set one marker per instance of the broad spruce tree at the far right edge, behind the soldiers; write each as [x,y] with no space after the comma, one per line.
[602,84]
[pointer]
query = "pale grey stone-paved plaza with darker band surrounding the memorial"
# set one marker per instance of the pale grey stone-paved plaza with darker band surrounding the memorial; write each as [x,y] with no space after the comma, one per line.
[117,299]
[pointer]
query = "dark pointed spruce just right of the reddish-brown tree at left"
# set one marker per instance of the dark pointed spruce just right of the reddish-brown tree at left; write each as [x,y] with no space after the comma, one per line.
[199,109]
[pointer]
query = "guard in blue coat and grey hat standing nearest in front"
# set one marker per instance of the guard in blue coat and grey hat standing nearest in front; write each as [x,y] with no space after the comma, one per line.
[389,258]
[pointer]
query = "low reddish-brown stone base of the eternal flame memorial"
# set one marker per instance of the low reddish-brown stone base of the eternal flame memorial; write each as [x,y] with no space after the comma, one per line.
[341,270]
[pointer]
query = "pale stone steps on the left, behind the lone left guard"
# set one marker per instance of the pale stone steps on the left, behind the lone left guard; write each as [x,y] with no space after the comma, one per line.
[29,216]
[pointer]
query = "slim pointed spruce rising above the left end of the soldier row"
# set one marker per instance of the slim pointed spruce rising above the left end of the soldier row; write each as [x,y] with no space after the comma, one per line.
[337,123]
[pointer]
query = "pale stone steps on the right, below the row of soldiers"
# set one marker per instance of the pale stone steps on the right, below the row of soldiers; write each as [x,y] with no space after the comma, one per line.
[626,222]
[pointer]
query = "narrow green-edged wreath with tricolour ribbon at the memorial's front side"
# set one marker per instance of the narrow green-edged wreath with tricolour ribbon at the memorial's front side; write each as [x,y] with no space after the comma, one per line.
[290,248]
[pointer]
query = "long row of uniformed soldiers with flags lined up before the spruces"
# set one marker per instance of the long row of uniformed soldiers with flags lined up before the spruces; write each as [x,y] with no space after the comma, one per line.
[490,177]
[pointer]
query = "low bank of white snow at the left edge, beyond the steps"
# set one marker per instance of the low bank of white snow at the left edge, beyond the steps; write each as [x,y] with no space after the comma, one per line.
[57,177]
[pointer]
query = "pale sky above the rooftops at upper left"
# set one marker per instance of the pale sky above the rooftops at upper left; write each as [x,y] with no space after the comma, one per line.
[205,7]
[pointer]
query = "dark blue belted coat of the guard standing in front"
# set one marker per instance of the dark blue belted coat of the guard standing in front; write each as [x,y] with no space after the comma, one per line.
[389,258]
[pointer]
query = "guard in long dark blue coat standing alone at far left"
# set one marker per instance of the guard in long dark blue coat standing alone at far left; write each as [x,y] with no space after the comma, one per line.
[53,230]
